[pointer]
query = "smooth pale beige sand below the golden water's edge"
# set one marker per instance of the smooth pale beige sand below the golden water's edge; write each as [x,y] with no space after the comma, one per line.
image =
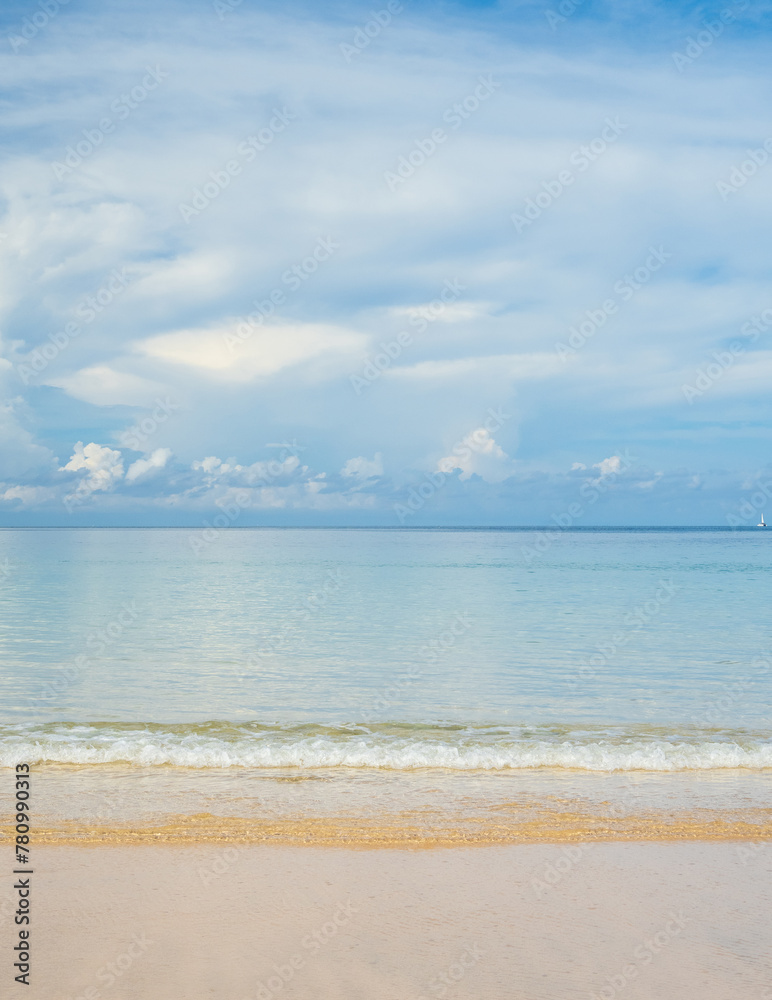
[686,920]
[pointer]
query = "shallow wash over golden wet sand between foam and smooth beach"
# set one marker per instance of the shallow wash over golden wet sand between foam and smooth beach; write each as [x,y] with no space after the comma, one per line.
[368,808]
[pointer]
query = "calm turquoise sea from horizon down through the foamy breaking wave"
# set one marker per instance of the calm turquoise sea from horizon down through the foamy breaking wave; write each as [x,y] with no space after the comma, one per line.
[591,649]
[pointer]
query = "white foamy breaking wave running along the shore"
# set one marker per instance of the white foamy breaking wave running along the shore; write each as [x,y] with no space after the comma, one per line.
[454,750]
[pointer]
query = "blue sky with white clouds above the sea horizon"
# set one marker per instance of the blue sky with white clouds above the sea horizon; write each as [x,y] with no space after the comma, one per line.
[401,264]
